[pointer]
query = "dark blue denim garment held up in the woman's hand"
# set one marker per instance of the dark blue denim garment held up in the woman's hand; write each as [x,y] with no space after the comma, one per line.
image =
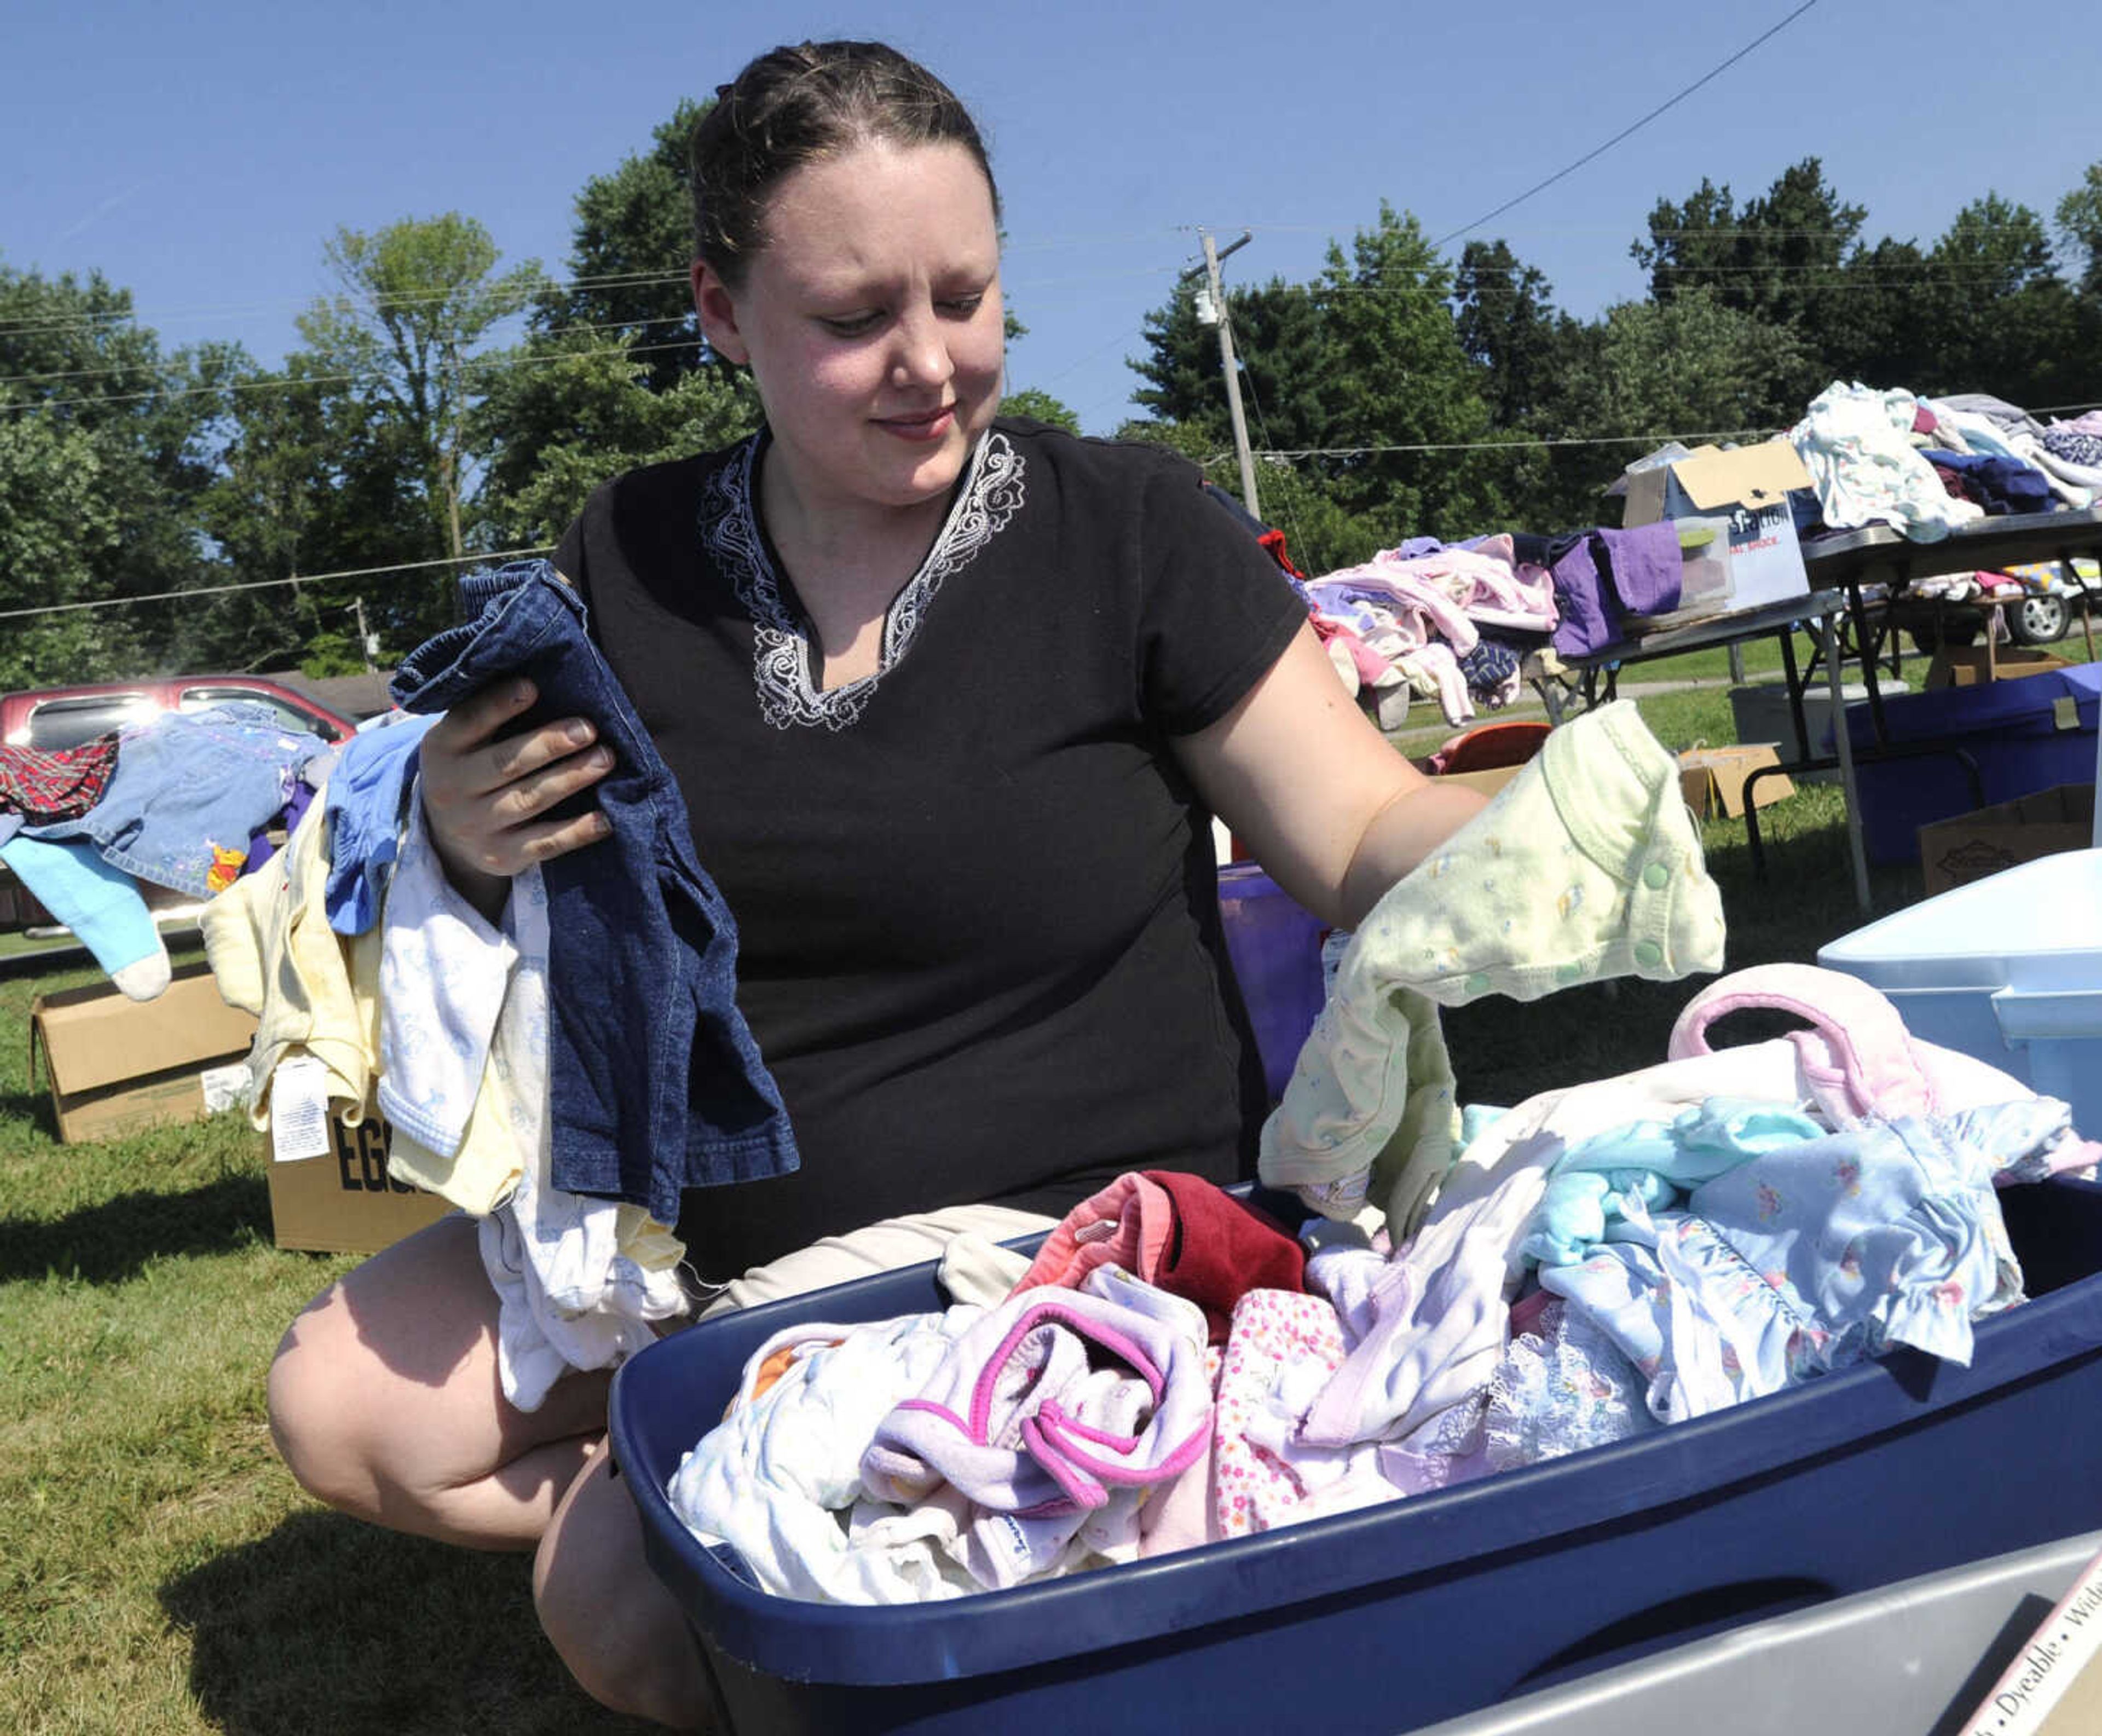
[655,1079]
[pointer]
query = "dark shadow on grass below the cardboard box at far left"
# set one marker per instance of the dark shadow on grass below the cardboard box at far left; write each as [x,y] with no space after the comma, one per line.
[117,1239]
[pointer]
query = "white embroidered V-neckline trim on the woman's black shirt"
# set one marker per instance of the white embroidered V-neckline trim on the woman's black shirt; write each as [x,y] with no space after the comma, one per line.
[730,533]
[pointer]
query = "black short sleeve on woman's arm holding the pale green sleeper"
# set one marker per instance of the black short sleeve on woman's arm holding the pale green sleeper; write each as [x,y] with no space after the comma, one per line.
[1216,611]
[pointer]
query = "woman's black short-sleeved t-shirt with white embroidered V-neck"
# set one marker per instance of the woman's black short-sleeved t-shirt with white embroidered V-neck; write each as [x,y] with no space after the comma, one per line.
[976,898]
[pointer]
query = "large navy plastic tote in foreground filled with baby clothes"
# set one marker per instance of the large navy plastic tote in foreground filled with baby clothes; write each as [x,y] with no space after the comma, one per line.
[1447,1603]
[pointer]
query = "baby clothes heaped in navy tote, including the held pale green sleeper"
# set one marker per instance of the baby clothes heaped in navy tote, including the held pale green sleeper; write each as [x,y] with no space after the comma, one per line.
[1472,1289]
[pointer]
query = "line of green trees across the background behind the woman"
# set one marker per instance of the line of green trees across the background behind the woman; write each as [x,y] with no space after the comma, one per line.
[447,405]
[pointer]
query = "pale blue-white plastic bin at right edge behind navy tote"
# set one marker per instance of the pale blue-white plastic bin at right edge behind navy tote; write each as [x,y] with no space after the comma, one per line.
[2006,970]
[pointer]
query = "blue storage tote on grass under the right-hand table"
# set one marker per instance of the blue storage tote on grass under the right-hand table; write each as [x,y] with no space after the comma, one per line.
[2023,737]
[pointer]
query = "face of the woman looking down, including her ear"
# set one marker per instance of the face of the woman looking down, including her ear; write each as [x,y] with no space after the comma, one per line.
[871,323]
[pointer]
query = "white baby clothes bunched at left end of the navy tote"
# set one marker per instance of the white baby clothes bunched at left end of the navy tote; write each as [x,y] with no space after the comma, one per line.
[777,1474]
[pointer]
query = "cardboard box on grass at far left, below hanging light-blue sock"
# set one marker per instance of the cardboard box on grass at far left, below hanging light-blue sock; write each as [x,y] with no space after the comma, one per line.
[117,1065]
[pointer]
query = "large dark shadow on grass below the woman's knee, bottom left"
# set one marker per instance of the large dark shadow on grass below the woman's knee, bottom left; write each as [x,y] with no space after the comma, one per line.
[335,1628]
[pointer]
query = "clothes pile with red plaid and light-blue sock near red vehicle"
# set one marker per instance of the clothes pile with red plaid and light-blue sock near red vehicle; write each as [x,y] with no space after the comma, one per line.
[188,802]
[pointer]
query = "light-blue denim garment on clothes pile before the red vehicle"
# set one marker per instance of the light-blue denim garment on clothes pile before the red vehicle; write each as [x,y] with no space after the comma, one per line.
[188,793]
